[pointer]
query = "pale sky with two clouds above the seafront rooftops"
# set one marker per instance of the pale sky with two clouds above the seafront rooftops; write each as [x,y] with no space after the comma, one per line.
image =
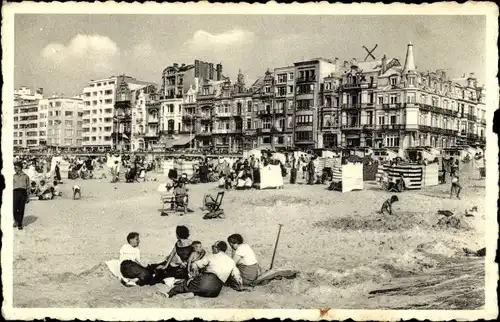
[61,53]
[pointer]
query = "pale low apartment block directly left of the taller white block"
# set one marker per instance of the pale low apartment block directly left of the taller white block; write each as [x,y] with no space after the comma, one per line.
[62,119]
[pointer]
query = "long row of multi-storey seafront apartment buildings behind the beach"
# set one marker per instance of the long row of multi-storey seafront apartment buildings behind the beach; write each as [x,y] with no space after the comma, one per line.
[319,103]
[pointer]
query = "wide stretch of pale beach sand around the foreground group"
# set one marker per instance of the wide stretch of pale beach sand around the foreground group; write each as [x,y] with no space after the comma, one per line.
[343,248]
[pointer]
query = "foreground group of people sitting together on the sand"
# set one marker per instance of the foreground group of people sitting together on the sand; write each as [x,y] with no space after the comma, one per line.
[193,268]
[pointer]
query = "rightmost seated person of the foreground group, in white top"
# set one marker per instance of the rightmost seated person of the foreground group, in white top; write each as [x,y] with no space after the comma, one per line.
[245,259]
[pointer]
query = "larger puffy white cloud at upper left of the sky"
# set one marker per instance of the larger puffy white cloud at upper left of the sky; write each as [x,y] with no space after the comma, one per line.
[94,52]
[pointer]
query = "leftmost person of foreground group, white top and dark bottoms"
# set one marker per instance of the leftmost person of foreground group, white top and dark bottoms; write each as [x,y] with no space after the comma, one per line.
[130,263]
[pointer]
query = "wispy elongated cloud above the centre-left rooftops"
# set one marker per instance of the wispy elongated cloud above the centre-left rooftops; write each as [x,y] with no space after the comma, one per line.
[203,40]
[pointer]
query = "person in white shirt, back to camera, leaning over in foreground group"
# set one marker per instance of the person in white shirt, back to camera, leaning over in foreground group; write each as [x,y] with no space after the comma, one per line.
[218,269]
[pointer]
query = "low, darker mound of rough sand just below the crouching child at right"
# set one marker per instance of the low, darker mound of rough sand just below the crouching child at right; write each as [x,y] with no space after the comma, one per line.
[401,221]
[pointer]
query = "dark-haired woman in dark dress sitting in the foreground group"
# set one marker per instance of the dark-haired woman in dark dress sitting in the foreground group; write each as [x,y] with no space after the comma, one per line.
[175,264]
